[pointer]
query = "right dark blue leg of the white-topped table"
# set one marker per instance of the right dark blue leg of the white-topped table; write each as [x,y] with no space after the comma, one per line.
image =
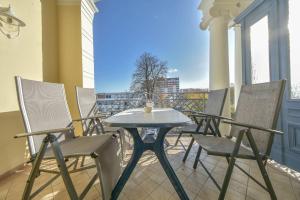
[161,155]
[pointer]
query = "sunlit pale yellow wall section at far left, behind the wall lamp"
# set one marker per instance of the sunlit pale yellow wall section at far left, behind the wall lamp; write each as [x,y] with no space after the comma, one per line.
[20,56]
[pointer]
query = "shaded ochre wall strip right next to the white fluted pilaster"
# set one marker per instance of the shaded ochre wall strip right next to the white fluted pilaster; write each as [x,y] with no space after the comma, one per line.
[70,53]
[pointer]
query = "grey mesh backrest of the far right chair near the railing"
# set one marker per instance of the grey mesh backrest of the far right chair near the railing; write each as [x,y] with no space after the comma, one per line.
[215,102]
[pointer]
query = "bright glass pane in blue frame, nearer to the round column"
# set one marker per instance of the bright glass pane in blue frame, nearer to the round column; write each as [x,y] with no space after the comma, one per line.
[259,37]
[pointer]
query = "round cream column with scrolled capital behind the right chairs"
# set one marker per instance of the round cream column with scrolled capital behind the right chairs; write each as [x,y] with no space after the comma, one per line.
[217,14]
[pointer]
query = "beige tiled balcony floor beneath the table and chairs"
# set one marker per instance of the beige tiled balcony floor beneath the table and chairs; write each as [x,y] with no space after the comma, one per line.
[149,181]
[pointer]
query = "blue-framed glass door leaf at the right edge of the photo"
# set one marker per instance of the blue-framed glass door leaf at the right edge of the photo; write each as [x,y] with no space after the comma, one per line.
[291,112]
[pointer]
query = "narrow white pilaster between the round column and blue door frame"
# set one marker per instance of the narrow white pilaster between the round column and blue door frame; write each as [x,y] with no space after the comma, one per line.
[238,63]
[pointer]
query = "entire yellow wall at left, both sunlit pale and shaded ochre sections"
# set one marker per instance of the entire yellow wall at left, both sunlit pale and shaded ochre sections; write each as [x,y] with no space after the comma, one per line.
[49,48]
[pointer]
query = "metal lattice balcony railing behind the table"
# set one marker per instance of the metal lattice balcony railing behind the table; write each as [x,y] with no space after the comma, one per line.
[176,101]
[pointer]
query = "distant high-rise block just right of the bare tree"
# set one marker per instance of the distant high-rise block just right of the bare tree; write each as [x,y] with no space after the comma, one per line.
[169,85]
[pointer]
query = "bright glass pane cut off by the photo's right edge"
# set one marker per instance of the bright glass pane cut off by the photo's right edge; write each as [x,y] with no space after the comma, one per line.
[294,29]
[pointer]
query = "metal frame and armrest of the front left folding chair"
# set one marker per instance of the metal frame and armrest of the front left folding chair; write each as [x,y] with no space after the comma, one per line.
[63,170]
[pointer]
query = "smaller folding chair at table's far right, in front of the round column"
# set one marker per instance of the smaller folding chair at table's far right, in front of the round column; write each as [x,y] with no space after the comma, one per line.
[205,122]
